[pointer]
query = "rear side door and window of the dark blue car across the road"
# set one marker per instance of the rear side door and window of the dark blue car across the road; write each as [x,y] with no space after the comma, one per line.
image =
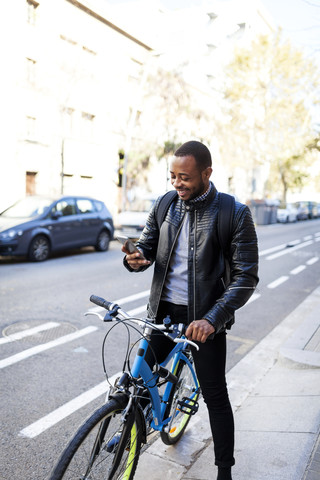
[91,222]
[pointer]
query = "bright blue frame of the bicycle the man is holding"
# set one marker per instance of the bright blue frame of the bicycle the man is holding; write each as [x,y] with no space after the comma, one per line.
[141,369]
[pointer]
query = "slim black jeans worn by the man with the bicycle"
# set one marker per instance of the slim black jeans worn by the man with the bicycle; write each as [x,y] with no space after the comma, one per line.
[210,363]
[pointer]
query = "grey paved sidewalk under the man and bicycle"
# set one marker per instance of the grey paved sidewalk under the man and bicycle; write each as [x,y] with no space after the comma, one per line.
[275,393]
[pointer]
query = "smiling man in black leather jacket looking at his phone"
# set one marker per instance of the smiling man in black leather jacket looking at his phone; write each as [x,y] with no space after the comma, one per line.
[189,281]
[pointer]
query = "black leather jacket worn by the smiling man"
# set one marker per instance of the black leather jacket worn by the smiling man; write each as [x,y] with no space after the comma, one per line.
[208,295]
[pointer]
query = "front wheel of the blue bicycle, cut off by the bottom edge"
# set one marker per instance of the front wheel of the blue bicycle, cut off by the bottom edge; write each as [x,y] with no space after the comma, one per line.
[92,452]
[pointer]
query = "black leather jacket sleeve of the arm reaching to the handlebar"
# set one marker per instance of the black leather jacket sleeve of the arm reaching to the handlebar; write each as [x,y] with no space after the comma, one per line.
[243,261]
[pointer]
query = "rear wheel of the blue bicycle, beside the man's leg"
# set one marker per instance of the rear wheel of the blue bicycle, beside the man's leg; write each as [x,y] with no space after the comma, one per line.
[187,390]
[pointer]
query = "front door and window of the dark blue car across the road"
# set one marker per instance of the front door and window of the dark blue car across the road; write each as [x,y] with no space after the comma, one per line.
[65,224]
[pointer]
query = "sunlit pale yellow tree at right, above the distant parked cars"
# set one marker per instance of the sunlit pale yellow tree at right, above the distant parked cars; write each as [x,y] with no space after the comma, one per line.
[271,90]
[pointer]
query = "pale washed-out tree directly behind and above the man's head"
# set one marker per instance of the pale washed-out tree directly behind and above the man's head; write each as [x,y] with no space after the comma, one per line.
[171,111]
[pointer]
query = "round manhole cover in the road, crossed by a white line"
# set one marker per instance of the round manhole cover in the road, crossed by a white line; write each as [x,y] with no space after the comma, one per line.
[31,331]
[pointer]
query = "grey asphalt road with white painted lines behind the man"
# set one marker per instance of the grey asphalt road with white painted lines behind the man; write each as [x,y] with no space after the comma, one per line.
[50,353]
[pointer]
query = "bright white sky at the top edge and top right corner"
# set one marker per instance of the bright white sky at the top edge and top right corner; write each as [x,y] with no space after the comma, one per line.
[299,19]
